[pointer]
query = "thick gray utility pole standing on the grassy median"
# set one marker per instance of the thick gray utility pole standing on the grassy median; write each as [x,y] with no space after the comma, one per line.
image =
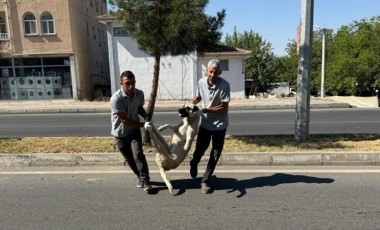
[304,71]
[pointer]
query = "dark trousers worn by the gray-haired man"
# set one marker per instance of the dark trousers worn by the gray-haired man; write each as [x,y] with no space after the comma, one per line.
[203,141]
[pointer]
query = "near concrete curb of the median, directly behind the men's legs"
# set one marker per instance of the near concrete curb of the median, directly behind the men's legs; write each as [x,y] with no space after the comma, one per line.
[254,159]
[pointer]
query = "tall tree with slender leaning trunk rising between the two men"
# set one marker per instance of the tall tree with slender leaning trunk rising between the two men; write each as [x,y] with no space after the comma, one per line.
[168,27]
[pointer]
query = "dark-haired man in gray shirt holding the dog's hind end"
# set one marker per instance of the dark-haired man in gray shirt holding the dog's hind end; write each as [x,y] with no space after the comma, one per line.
[126,106]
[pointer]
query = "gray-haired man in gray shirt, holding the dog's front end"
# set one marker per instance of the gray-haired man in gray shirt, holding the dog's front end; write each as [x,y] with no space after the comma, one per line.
[215,94]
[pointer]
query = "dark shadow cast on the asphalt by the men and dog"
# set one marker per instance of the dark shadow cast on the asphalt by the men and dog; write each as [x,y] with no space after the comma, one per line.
[232,185]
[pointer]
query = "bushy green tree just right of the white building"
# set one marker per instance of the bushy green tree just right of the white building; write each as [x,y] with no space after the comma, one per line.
[259,65]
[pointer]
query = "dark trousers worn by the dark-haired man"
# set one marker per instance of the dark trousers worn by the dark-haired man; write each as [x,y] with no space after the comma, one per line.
[131,149]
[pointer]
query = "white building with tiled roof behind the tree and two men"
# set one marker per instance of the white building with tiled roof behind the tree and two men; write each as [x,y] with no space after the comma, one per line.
[178,74]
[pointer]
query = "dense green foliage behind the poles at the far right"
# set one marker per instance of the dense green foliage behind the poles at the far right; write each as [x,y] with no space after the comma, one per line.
[352,59]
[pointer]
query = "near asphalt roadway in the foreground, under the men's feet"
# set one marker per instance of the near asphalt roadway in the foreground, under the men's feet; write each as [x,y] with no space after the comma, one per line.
[244,198]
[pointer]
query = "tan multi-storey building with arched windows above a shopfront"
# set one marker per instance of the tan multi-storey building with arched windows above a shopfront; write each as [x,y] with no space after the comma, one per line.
[53,49]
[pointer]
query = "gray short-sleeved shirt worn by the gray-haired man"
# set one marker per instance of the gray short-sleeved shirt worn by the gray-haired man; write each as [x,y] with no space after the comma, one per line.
[213,96]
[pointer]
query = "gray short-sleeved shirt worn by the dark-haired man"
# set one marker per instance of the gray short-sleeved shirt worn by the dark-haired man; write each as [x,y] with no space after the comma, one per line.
[120,102]
